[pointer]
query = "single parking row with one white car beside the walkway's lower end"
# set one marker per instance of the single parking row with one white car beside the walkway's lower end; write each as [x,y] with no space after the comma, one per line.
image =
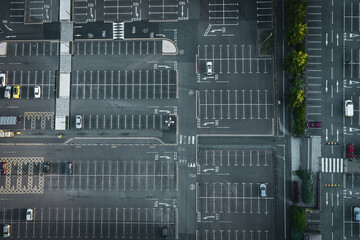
[124,122]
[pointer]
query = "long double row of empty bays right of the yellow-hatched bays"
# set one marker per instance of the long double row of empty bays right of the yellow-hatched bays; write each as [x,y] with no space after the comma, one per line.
[119,175]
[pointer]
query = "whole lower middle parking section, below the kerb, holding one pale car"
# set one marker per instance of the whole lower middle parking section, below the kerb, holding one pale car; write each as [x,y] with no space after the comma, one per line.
[228,201]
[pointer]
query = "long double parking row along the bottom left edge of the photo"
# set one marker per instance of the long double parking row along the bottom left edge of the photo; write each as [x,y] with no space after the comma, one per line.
[88,222]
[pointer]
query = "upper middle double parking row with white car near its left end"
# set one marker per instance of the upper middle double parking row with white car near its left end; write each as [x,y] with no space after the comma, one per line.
[232,59]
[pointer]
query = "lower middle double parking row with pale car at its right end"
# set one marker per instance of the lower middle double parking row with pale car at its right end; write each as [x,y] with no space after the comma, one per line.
[232,198]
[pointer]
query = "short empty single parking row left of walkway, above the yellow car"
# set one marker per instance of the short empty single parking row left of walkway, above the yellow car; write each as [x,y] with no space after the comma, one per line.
[41,48]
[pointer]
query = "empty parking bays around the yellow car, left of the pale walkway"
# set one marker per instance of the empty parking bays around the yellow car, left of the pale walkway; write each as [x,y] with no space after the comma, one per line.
[27,80]
